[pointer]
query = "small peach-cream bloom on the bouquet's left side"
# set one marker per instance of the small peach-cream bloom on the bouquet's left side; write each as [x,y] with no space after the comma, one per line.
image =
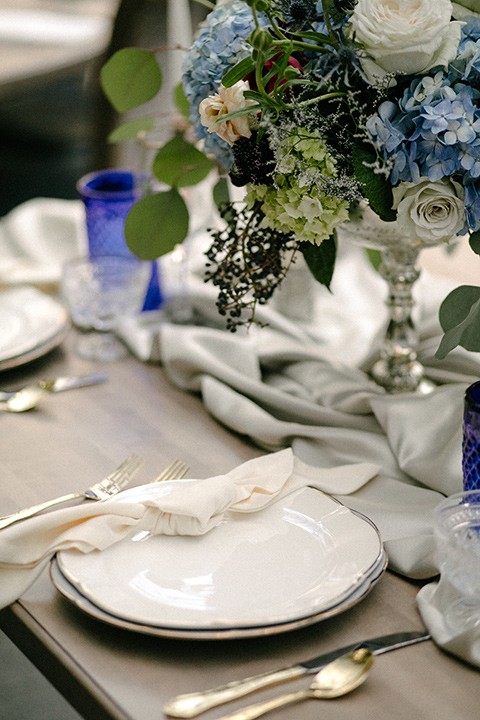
[228,100]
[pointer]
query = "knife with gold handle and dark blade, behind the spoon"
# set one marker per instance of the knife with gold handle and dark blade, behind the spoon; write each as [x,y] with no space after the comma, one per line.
[191,704]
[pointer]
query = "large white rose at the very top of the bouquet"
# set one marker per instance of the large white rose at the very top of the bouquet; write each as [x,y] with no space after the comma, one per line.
[405,36]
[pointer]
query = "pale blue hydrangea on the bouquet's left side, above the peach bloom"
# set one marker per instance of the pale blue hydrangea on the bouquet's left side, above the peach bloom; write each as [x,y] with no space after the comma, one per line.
[219,45]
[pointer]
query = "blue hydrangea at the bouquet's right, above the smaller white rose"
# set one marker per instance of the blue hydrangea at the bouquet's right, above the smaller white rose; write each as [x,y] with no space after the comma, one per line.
[433,129]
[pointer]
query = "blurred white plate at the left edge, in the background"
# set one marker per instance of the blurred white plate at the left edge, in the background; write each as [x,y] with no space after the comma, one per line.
[32,324]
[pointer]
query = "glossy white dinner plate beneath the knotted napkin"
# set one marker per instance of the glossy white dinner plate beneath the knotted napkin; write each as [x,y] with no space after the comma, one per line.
[294,561]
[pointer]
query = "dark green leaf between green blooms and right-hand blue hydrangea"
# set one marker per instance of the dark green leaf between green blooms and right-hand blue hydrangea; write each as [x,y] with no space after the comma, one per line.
[377,191]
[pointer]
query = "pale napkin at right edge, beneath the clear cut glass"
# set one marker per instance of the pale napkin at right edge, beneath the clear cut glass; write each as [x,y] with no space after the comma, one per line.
[454,633]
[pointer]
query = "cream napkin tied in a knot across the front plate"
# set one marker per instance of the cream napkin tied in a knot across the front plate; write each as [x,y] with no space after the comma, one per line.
[186,507]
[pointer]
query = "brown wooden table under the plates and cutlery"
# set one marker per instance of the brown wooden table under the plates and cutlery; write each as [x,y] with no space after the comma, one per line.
[105,672]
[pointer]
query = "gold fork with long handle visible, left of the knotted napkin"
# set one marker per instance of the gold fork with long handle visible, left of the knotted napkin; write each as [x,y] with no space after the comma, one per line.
[111,485]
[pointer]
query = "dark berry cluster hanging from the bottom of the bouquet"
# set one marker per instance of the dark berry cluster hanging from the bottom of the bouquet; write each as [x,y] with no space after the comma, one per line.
[247,263]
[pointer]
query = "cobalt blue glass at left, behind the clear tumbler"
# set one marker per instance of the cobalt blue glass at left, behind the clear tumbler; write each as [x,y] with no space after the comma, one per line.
[108,196]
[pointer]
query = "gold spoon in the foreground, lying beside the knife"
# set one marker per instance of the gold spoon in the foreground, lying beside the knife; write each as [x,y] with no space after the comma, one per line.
[337,678]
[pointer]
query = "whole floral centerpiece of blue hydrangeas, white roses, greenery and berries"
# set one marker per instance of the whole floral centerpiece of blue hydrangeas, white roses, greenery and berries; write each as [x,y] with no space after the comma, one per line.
[318,108]
